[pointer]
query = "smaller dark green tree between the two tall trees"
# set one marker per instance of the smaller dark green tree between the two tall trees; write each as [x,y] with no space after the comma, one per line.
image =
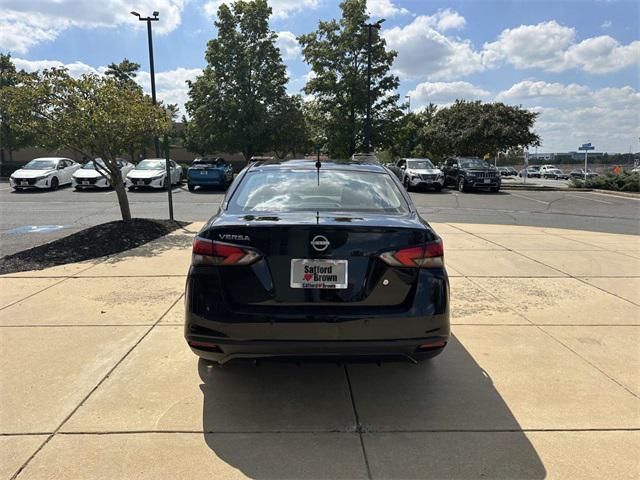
[289,130]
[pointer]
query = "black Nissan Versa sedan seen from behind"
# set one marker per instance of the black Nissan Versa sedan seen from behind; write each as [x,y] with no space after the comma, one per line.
[304,259]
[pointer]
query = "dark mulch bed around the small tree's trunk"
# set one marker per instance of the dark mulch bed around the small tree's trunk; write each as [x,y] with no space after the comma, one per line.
[93,242]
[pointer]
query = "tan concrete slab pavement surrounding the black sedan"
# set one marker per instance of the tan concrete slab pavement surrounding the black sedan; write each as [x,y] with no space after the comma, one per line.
[541,378]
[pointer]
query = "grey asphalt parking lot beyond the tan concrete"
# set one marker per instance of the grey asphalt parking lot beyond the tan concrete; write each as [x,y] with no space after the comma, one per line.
[31,218]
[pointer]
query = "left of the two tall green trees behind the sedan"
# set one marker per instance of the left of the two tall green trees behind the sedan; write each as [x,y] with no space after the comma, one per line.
[232,102]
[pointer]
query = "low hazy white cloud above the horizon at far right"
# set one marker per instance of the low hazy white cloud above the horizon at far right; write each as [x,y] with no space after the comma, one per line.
[572,114]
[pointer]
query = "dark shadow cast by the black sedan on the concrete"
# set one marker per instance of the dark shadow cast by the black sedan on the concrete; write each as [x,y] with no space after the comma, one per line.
[438,419]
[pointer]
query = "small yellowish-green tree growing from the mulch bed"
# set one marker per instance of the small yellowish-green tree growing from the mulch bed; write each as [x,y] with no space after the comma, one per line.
[91,115]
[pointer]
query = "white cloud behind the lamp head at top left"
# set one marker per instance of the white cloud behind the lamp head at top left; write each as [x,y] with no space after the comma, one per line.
[26,23]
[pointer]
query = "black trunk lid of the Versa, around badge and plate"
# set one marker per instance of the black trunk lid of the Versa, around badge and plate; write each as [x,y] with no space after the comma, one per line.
[357,238]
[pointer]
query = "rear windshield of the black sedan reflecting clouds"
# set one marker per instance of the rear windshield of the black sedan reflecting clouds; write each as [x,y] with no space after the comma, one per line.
[291,190]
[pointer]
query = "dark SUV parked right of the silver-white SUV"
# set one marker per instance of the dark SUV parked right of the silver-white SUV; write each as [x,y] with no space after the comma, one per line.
[467,173]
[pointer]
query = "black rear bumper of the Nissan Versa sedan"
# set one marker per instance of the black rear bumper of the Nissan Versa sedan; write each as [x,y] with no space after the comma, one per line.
[314,330]
